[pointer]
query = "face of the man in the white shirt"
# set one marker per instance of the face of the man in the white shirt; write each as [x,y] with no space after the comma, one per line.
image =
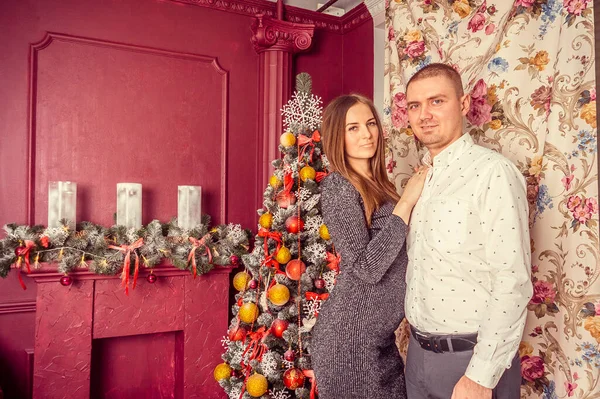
[436,111]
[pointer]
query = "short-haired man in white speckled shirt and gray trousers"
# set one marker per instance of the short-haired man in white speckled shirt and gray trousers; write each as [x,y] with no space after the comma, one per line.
[468,278]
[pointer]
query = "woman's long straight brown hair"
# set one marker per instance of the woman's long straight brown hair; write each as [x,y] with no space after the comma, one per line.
[374,192]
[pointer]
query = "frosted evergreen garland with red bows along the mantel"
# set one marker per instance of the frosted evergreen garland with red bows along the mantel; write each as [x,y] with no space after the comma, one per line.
[113,250]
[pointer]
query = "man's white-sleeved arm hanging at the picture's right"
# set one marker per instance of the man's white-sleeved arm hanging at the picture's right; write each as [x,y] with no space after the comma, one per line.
[504,215]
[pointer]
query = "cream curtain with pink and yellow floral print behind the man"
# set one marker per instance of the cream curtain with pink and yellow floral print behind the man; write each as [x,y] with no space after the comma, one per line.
[529,68]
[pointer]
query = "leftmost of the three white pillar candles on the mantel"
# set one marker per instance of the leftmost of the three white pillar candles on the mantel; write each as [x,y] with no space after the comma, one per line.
[62,203]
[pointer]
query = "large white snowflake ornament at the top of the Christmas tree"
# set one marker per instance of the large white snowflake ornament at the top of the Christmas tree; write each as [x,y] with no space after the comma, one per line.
[303,111]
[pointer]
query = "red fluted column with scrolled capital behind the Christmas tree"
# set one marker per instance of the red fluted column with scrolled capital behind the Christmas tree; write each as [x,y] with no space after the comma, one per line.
[276,41]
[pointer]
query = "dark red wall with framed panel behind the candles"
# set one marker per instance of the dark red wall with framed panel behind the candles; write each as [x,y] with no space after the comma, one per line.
[127,90]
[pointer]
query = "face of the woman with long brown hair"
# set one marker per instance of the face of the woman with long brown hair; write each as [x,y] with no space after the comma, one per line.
[361,134]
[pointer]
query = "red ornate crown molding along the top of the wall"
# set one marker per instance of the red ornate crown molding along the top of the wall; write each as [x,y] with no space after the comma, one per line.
[331,23]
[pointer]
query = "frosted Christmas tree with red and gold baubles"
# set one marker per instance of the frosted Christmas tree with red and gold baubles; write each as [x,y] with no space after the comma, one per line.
[290,272]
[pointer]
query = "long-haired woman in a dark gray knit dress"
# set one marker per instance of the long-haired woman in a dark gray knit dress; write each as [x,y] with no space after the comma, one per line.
[353,344]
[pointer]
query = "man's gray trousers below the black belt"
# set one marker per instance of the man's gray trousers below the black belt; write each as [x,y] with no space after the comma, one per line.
[432,375]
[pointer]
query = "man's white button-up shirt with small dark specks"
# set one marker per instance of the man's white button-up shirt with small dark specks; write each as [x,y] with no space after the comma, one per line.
[469,255]
